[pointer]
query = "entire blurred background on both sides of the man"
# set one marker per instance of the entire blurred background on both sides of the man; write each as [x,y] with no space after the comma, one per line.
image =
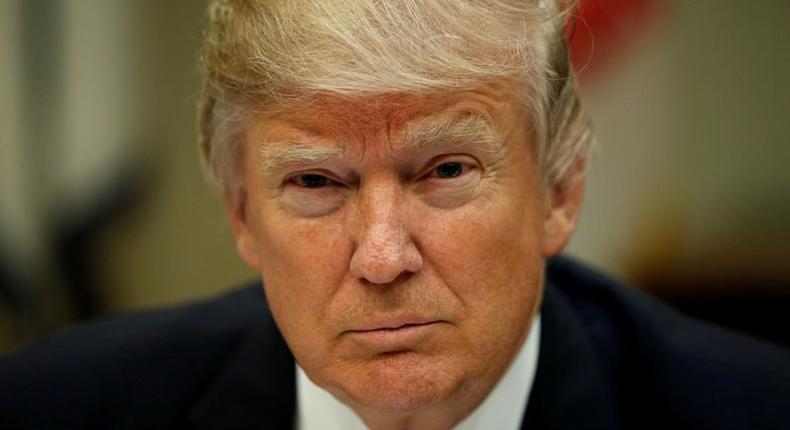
[103,208]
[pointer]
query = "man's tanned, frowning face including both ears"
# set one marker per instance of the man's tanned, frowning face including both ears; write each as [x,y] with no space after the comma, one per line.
[389,236]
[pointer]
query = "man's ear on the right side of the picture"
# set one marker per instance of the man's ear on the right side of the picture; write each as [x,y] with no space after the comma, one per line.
[564,201]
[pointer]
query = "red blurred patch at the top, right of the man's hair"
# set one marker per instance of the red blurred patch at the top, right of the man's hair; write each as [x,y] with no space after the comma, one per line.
[603,29]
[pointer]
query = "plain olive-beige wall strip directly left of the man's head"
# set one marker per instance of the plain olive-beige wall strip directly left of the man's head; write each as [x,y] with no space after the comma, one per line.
[176,244]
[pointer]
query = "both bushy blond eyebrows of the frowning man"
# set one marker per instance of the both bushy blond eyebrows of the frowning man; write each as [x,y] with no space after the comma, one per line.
[466,130]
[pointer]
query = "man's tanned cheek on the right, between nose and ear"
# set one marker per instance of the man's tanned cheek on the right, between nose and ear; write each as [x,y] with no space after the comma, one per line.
[489,256]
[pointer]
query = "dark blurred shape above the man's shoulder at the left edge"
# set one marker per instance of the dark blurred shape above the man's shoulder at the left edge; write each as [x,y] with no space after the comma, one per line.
[74,288]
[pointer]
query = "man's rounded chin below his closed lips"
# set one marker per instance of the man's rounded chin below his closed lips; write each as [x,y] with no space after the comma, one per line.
[402,382]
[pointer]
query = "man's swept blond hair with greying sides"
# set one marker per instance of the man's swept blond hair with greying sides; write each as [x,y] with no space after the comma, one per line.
[259,52]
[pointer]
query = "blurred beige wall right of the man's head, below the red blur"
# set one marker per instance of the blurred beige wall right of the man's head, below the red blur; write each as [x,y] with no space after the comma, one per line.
[695,142]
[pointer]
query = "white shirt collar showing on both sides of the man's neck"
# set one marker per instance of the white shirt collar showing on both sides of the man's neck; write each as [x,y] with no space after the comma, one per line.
[502,409]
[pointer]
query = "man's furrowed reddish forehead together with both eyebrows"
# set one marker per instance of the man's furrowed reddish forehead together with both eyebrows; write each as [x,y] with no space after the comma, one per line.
[406,121]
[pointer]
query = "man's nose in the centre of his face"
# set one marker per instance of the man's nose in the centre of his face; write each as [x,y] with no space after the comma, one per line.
[385,248]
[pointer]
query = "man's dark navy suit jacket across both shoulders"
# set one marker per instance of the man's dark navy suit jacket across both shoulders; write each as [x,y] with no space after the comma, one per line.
[610,358]
